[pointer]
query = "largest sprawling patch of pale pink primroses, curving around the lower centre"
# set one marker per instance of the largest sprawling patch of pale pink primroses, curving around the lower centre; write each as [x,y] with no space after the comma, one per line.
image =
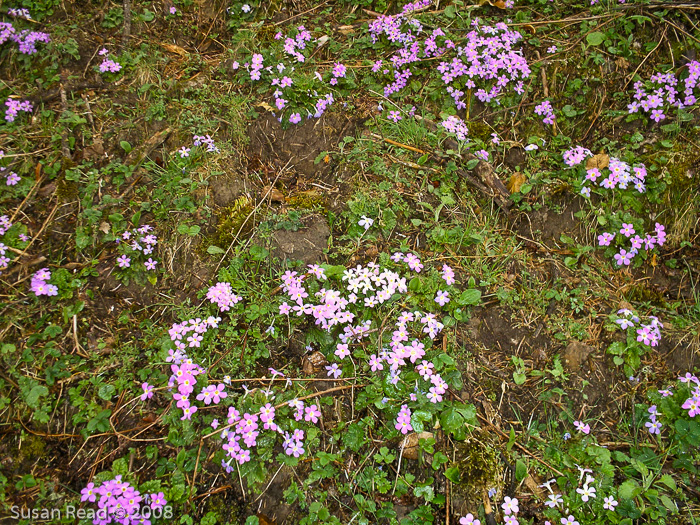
[369,329]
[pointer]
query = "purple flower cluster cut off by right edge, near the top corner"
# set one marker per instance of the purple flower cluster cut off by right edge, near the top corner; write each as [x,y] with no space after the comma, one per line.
[662,92]
